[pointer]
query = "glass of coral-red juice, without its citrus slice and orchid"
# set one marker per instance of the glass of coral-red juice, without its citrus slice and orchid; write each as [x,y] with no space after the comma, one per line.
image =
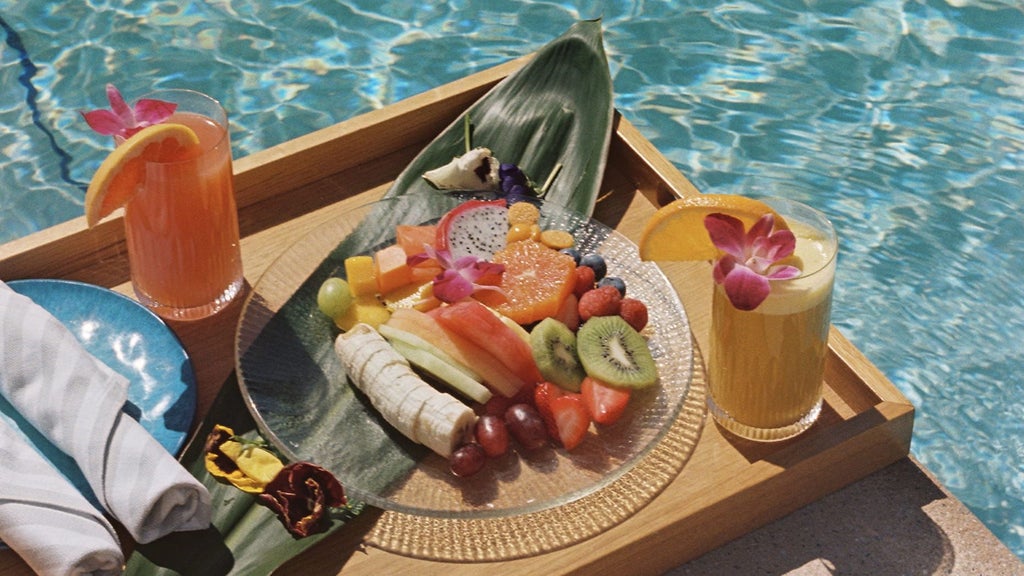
[182,226]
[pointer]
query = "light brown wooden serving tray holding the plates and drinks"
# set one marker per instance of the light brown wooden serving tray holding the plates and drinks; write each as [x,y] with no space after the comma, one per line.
[729,488]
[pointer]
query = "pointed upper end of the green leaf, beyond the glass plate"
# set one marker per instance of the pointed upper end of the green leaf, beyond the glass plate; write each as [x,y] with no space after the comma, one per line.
[557,110]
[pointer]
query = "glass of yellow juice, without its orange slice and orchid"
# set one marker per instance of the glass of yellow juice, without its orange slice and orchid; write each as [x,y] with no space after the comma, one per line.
[766,366]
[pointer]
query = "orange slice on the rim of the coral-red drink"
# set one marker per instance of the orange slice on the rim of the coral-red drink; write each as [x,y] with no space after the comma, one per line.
[123,172]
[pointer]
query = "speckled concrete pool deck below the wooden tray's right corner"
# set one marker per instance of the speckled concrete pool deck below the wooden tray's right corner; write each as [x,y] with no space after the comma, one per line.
[897,521]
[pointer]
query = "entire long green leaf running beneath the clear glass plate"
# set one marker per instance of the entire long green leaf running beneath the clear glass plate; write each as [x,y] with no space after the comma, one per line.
[558,110]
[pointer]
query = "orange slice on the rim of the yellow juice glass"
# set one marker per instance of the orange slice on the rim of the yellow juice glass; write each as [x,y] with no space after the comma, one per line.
[676,232]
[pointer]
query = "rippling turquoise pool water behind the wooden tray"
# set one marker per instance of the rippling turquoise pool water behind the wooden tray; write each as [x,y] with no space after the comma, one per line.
[903,119]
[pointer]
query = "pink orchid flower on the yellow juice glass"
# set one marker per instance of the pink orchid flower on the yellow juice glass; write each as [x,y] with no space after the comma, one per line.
[750,258]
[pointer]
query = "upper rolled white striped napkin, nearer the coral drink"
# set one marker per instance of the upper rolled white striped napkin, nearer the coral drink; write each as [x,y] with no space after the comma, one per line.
[76,402]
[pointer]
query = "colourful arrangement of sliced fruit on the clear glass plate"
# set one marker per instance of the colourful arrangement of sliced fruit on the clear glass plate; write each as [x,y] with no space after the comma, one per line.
[543,345]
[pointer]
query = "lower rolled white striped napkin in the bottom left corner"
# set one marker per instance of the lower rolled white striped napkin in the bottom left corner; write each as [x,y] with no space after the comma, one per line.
[46,520]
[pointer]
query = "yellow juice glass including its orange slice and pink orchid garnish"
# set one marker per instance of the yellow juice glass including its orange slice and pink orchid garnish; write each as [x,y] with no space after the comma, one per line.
[772,304]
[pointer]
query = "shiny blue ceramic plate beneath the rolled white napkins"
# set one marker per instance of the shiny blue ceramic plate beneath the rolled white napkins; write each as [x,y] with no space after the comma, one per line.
[132,341]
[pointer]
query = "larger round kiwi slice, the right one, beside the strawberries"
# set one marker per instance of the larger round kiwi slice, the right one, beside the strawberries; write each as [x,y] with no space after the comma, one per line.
[613,352]
